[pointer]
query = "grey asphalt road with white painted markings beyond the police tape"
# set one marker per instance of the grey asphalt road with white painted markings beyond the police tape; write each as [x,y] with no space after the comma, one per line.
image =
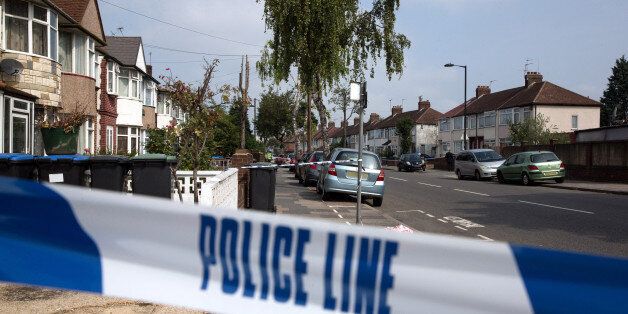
[435,201]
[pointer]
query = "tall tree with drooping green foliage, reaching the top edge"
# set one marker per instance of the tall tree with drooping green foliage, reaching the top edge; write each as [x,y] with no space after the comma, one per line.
[326,40]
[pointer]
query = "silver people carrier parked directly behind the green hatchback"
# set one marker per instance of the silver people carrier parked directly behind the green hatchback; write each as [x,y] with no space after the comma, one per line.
[477,163]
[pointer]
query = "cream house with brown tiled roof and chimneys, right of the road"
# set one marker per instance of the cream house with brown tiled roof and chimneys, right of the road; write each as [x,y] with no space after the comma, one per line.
[490,114]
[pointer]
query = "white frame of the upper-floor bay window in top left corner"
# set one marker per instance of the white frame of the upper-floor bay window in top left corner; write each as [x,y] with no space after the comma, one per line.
[31,19]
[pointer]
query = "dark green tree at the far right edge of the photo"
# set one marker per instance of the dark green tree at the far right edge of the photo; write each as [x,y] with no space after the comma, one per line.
[615,98]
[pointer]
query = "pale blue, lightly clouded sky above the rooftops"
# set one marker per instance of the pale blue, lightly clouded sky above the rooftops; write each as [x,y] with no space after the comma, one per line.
[573,43]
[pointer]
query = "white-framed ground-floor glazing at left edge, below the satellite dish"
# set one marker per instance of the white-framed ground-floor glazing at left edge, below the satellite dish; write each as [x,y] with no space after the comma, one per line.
[17,126]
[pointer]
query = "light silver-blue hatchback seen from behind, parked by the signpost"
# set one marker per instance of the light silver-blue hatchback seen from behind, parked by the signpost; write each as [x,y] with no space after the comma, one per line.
[341,175]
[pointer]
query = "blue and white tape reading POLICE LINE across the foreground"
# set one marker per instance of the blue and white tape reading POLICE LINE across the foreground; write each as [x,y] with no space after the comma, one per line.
[233,261]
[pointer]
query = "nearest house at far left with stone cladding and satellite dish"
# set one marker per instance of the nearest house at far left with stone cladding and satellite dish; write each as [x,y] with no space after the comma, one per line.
[49,67]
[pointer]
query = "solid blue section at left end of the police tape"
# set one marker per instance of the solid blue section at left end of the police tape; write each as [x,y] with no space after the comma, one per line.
[41,242]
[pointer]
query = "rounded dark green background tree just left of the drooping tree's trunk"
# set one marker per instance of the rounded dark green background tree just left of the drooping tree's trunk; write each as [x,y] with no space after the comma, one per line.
[274,120]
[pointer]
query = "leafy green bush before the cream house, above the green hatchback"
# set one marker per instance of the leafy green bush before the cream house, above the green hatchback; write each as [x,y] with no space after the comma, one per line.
[535,131]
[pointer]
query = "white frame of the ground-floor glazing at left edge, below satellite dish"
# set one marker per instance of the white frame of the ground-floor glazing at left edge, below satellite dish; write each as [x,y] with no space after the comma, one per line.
[17,112]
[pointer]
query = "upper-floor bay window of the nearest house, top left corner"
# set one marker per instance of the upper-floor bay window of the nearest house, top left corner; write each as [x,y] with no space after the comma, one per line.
[30,28]
